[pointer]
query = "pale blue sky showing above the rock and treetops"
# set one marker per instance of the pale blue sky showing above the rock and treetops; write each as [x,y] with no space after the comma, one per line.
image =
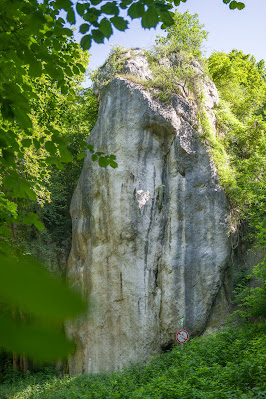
[228,29]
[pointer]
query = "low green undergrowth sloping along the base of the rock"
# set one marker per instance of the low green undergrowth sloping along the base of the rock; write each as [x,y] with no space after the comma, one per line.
[228,365]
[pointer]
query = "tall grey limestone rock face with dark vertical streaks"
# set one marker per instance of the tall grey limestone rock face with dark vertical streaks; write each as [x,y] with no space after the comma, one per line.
[149,237]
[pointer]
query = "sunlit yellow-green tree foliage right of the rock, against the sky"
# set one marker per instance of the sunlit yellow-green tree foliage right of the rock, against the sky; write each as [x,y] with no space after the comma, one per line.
[241,129]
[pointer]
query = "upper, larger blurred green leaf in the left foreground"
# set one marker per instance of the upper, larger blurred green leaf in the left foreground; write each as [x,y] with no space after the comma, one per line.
[27,285]
